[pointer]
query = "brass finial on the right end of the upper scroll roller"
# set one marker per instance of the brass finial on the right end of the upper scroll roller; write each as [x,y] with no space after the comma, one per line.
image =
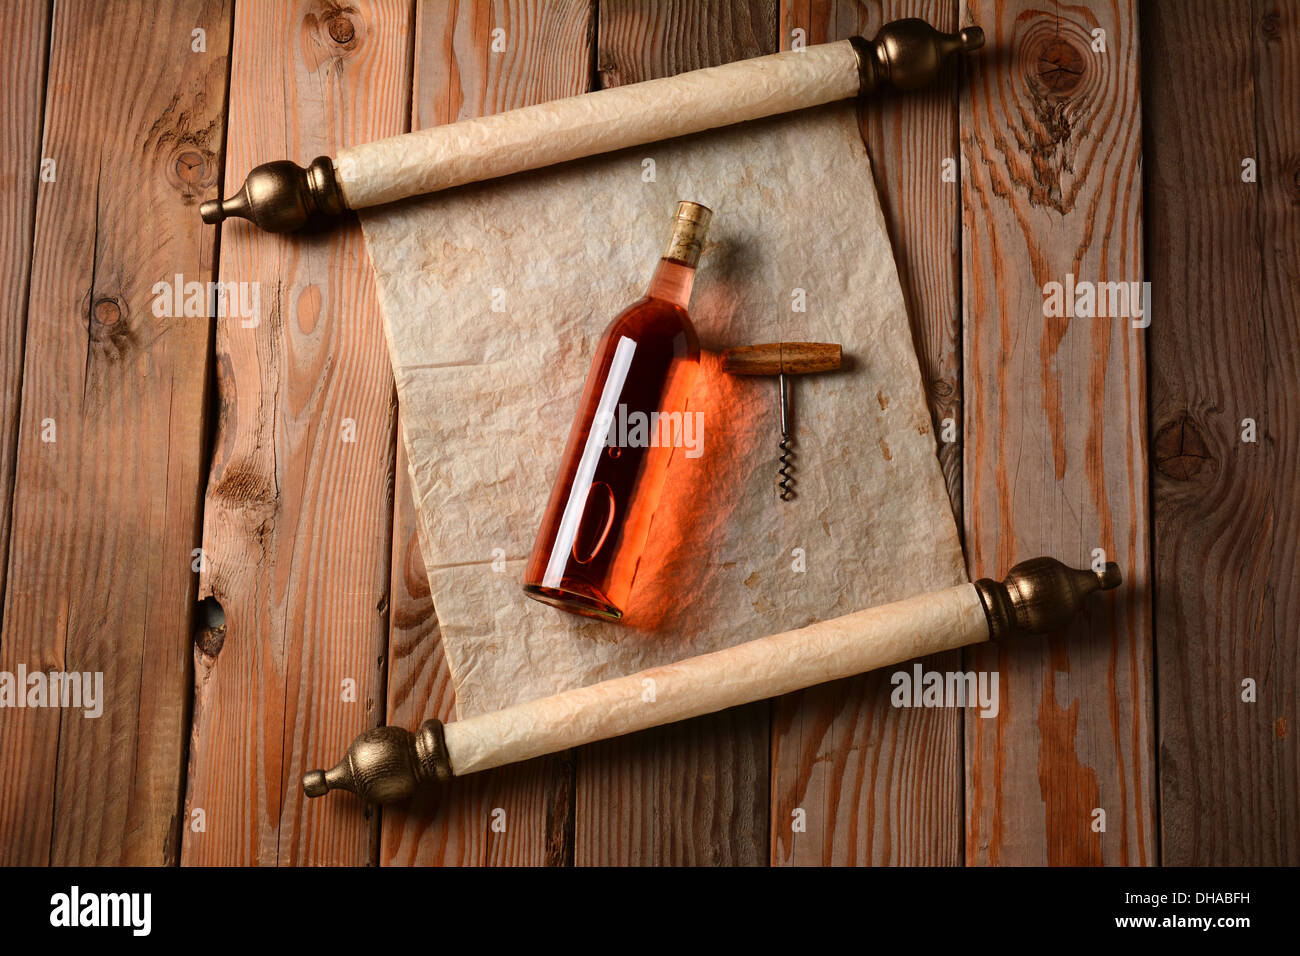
[909,54]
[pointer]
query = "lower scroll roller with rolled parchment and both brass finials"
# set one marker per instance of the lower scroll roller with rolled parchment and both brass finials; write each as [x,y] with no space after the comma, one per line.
[1041,595]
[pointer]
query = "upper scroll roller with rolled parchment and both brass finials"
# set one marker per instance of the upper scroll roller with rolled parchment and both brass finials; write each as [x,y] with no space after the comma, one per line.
[281,197]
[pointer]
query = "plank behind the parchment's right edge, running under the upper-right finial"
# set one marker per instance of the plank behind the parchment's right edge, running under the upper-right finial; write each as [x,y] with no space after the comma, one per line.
[881,785]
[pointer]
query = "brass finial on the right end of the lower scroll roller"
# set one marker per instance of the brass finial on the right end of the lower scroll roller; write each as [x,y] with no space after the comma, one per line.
[1041,596]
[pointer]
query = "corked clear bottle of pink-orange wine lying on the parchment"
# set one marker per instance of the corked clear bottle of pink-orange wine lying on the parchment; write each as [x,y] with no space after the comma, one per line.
[630,421]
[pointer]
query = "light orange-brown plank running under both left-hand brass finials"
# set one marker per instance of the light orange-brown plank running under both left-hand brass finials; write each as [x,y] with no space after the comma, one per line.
[298,511]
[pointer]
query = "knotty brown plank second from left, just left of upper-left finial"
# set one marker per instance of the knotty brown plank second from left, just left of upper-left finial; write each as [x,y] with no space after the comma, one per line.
[106,516]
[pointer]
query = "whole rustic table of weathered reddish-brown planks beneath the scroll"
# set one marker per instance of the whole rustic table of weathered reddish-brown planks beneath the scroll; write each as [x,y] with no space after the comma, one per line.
[218,516]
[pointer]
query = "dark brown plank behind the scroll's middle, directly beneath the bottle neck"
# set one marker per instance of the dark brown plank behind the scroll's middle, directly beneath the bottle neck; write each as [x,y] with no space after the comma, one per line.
[695,793]
